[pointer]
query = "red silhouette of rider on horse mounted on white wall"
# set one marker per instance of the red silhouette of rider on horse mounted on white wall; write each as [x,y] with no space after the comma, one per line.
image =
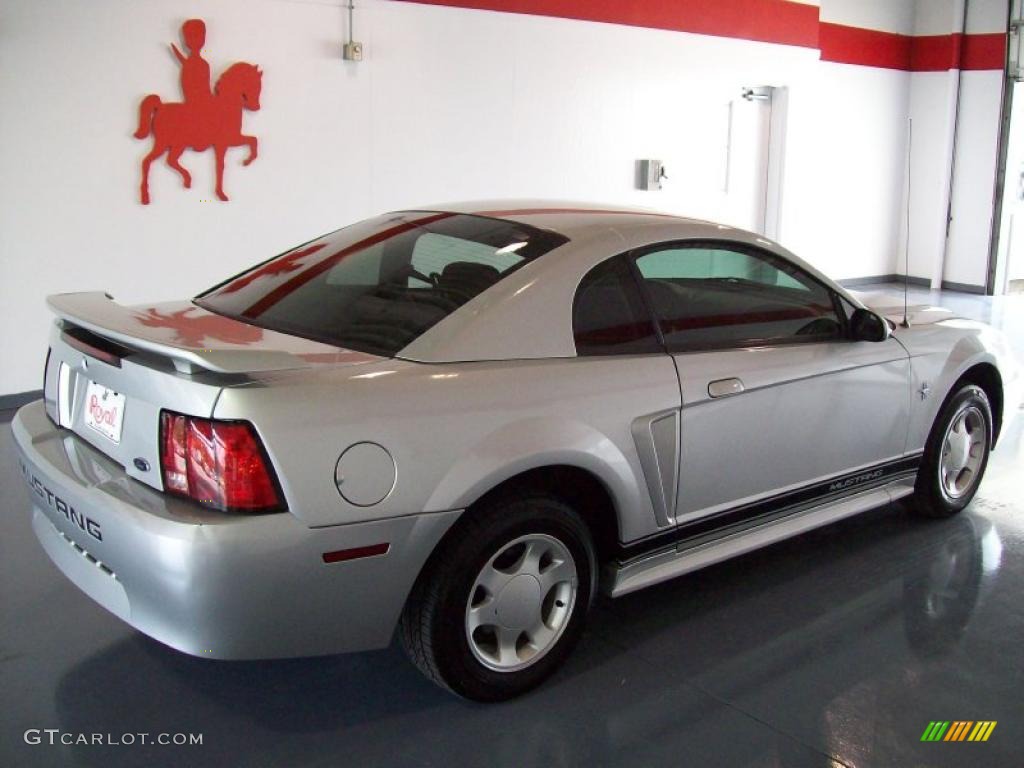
[204,118]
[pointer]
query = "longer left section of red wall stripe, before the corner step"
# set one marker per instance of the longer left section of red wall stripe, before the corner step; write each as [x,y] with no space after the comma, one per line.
[763,21]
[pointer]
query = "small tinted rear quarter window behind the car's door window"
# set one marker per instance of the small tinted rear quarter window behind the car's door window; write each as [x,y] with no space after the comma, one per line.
[609,314]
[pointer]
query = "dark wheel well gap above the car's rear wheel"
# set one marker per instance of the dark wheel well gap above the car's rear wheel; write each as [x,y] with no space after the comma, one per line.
[580,489]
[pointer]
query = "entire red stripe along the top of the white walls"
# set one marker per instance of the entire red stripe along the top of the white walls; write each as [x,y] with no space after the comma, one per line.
[771,22]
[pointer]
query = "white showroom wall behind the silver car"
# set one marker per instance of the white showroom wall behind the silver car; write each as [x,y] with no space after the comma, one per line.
[452,104]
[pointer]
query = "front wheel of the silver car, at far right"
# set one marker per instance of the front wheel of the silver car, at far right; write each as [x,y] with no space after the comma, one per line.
[956,455]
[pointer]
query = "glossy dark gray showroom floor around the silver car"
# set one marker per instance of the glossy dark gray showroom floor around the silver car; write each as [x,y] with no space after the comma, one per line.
[834,649]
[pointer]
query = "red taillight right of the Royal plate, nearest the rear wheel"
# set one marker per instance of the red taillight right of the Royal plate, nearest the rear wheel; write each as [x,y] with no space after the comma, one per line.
[221,464]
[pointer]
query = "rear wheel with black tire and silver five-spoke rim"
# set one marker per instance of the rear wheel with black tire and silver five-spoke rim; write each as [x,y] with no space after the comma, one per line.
[503,602]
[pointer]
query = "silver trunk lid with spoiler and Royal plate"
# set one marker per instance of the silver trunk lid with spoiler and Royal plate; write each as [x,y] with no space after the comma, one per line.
[113,369]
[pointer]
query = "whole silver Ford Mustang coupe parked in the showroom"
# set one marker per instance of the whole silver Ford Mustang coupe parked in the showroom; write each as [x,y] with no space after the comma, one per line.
[458,424]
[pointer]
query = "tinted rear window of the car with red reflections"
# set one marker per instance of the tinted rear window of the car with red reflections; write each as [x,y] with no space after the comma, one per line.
[378,285]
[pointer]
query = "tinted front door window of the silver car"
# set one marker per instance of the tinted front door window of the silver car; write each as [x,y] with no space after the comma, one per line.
[710,296]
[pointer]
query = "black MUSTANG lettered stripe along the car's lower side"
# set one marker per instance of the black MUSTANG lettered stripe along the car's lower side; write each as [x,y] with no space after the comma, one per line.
[766,510]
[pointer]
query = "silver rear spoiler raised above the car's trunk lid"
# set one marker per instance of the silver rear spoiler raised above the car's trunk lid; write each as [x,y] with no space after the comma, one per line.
[97,312]
